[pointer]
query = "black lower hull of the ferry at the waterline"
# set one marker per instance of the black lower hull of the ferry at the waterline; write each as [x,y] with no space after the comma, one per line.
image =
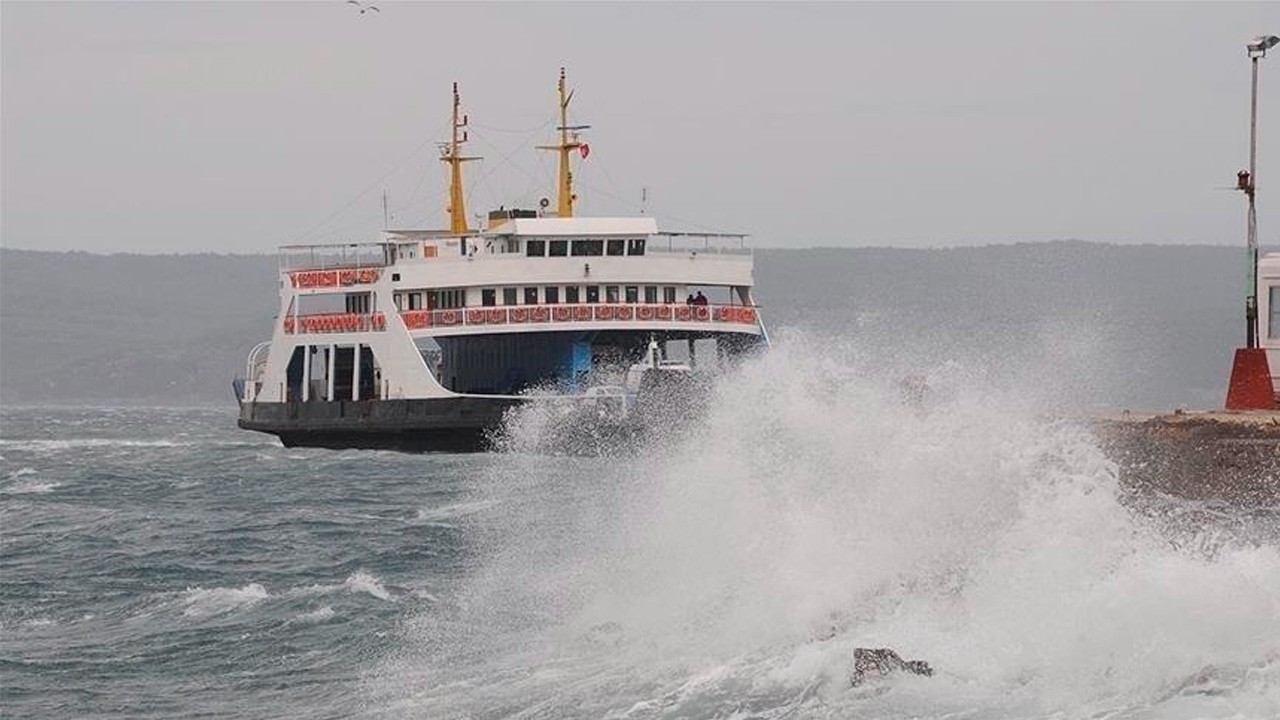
[447,425]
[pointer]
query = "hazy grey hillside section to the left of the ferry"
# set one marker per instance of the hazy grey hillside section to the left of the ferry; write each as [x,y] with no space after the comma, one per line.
[132,329]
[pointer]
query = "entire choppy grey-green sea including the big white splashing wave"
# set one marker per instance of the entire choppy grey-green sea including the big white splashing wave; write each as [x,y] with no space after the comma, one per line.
[159,563]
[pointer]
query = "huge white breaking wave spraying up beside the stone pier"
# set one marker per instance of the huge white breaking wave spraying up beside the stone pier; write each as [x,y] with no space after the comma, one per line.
[733,564]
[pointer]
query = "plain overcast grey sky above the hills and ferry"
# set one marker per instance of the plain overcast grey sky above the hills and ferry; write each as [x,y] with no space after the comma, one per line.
[236,127]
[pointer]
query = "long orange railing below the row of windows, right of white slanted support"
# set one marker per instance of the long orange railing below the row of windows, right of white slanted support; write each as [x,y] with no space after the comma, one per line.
[582,313]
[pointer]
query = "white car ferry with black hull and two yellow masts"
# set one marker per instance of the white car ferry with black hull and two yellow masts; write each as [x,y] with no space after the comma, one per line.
[426,340]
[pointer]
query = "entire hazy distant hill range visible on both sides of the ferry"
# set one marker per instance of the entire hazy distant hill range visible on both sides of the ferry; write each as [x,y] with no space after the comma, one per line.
[1118,326]
